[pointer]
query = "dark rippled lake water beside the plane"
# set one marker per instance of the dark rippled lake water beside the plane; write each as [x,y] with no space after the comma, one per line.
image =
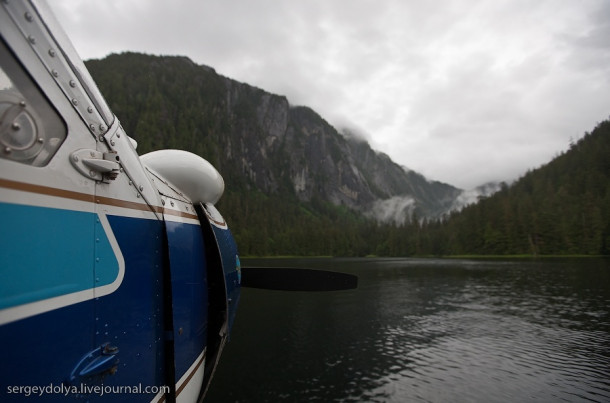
[425,330]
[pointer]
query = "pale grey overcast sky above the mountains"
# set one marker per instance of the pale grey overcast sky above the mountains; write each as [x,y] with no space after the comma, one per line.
[461,91]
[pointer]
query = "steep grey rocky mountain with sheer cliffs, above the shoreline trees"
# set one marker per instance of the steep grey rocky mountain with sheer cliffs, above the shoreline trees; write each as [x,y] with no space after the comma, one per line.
[258,140]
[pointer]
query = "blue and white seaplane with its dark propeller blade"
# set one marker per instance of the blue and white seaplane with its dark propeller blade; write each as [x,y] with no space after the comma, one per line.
[119,278]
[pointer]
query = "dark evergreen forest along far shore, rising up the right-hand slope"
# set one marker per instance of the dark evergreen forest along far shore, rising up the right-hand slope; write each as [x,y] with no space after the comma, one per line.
[561,208]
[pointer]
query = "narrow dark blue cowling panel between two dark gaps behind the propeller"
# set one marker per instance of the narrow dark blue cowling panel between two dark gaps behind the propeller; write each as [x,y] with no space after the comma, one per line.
[189,292]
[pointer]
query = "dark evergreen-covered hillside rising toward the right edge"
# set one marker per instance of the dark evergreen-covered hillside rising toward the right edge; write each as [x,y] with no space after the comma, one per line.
[562,207]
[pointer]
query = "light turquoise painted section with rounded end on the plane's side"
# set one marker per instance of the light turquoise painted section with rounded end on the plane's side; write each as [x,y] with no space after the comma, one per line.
[49,252]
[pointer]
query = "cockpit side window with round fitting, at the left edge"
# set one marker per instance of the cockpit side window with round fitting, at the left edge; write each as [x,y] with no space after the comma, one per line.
[31,130]
